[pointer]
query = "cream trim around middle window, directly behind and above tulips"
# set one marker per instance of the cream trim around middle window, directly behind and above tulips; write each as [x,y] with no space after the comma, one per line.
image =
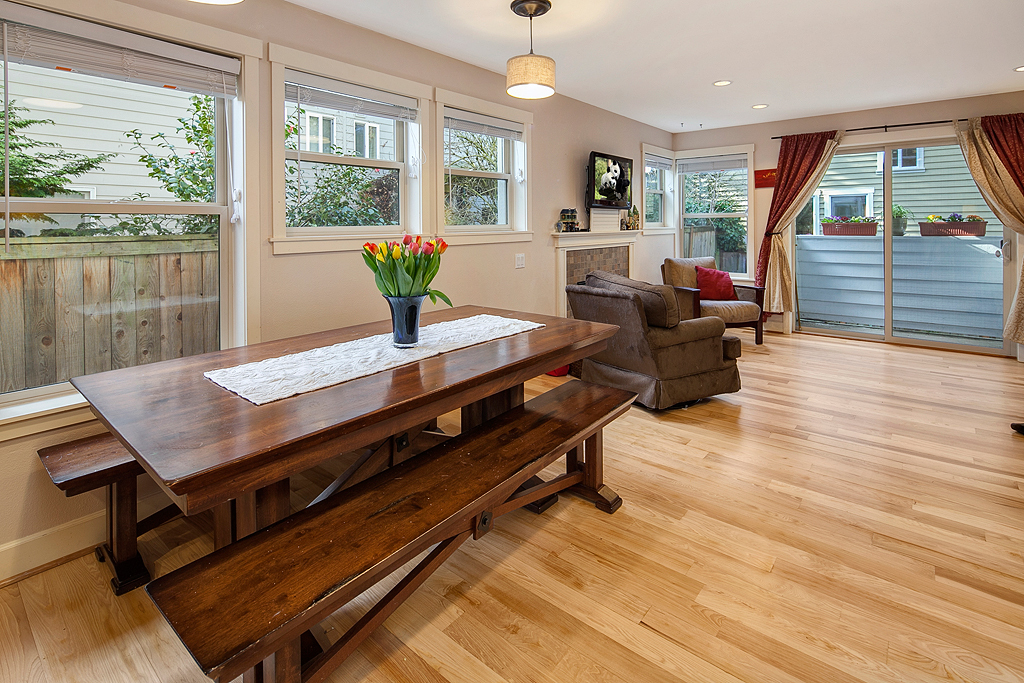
[414,204]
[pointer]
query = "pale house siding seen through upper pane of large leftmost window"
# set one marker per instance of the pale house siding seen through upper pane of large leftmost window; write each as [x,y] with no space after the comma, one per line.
[110,110]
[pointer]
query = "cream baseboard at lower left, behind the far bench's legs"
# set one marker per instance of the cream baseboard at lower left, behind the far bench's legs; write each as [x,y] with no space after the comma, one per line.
[25,558]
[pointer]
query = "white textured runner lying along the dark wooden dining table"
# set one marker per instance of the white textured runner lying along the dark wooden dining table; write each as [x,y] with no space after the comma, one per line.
[274,379]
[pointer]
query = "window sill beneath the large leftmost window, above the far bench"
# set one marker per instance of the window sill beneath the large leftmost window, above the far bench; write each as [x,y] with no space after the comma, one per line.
[44,410]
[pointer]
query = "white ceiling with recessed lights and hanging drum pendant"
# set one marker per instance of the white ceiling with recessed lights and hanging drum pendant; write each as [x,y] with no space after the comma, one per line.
[655,61]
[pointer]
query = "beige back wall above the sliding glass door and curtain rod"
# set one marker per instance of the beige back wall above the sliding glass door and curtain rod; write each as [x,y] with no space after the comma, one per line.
[766,150]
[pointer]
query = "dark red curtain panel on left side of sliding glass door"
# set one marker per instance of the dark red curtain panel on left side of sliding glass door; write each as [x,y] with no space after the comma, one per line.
[797,160]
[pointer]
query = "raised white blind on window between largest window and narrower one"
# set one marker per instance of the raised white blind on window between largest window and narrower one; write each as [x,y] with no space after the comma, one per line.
[311,91]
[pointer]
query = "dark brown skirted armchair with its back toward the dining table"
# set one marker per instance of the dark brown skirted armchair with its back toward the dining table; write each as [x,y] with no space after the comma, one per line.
[665,360]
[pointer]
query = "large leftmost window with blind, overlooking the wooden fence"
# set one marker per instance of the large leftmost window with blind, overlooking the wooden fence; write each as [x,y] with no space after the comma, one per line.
[112,243]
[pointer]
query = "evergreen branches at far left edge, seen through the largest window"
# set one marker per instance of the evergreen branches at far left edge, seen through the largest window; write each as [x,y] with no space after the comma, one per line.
[40,169]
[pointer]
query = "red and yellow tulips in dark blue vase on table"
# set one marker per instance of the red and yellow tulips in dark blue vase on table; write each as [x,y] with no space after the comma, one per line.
[404,272]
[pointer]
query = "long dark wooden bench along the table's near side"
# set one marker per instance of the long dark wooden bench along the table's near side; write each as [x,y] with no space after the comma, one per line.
[254,600]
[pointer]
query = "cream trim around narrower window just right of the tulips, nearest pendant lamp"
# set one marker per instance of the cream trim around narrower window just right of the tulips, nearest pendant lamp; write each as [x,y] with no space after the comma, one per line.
[521,190]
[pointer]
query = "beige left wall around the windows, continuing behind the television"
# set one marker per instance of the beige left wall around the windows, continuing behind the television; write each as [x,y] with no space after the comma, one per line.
[311,292]
